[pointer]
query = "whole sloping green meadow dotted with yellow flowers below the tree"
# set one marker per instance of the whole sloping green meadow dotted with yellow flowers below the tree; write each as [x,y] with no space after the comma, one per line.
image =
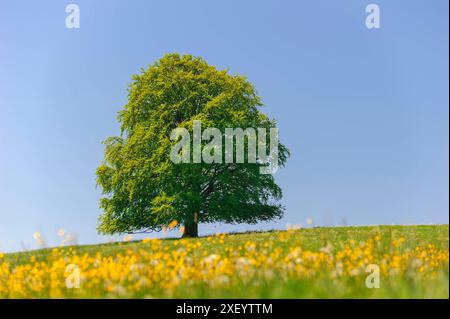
[413,262]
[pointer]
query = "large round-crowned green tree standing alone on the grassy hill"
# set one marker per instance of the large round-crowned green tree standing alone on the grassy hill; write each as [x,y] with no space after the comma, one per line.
[146,191]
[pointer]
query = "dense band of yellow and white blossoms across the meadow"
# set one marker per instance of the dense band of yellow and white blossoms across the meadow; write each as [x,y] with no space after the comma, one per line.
[162,268]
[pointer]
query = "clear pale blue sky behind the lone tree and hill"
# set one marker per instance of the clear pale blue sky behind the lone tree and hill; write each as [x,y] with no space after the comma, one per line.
[364,112]
